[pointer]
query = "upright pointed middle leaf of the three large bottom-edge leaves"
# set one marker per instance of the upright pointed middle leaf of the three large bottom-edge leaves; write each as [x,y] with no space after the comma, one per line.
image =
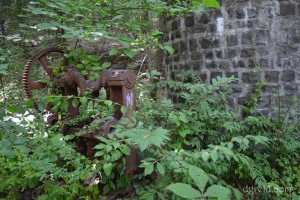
[199,176]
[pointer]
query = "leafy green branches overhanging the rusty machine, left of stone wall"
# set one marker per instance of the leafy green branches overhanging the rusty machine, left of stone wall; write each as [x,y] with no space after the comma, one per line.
[130,24]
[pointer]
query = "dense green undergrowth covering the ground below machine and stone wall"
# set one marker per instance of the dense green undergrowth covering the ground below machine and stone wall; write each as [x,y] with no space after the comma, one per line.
[196,149]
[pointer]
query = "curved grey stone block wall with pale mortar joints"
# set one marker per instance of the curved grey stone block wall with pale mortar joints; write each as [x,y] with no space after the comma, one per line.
[241,37]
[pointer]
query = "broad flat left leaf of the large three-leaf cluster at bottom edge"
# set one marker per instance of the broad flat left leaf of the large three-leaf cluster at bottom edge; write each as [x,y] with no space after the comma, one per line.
[184,190]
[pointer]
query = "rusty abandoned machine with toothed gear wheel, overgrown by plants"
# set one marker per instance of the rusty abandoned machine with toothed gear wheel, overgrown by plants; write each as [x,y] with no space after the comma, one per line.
[119,84]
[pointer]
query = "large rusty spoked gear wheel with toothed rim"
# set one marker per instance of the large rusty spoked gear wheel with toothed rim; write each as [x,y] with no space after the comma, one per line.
[38,75]
